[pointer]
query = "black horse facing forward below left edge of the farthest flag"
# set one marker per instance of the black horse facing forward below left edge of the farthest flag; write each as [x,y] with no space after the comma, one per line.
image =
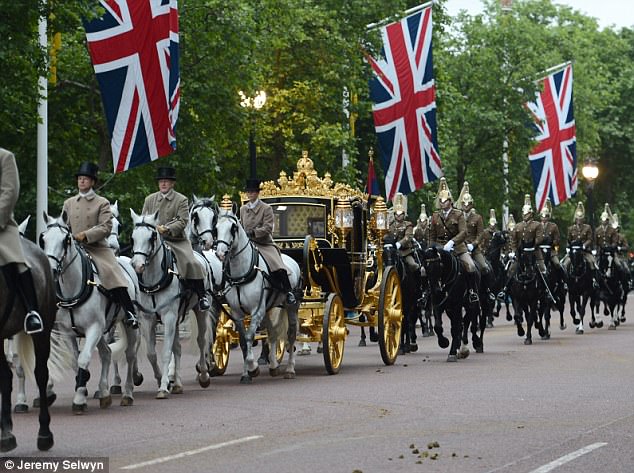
[526,288]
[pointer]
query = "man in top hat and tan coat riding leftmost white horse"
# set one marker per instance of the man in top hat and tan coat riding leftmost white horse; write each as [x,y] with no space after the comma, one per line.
[89,218]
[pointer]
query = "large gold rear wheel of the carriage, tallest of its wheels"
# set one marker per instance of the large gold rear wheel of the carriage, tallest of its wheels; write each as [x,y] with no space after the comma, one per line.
[390,315]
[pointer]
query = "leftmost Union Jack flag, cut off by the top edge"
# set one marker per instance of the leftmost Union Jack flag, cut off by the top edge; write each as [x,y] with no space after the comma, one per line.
[134,50]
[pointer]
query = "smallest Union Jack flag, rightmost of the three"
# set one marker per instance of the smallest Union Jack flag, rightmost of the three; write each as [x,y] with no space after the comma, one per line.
[554,158]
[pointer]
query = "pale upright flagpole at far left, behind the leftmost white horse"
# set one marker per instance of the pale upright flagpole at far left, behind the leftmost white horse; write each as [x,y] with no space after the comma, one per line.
[42,135]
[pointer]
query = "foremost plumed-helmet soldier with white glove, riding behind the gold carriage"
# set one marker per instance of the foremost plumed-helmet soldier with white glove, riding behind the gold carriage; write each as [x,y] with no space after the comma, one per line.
[449,230]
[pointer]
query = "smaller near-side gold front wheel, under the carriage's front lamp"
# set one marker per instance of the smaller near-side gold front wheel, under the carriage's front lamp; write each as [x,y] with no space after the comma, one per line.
[334,333]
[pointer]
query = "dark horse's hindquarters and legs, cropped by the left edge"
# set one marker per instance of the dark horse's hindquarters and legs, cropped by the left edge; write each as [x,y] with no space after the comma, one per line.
[12,313]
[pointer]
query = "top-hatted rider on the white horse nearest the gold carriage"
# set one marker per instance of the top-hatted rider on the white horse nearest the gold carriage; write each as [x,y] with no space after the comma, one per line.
[258,221]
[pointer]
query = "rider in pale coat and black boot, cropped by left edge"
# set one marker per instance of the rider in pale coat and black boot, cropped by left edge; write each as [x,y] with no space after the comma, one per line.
[16,270]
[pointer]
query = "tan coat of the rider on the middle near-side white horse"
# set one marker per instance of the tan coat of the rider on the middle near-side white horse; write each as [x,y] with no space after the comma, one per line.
[173,209]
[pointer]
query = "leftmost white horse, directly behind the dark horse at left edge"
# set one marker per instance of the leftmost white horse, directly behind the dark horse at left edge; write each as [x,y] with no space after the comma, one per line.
[85,311]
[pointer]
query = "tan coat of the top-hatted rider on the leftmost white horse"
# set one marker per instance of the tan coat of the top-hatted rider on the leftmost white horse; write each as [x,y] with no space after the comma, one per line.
[91,214]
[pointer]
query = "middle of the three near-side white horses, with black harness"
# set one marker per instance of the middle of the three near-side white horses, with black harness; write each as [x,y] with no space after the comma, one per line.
[162,299]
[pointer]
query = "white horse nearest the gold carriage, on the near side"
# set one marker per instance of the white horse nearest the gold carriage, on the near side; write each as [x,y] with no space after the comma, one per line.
[249,291]
